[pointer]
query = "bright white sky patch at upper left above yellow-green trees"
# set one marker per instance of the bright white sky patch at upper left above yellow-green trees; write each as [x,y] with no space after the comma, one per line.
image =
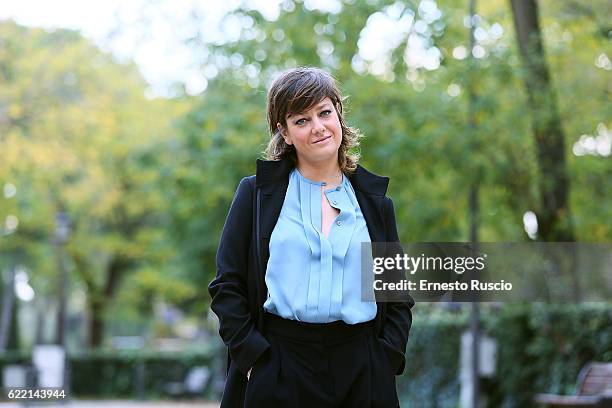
[149,32]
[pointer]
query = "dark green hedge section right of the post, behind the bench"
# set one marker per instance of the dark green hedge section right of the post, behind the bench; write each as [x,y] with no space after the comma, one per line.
[541,348]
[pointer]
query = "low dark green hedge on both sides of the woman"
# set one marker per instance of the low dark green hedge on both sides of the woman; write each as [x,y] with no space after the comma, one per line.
[540,348]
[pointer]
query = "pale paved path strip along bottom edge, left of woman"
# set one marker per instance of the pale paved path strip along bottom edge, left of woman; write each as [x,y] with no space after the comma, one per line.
[119,404]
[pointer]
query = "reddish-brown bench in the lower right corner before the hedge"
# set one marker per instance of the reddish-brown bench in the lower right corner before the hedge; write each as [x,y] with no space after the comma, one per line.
[593,389]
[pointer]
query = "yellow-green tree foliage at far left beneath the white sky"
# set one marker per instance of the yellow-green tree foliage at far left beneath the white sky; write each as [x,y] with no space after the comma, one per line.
[78,135]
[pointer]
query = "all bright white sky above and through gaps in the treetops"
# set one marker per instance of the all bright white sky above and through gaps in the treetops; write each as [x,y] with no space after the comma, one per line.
[152,33]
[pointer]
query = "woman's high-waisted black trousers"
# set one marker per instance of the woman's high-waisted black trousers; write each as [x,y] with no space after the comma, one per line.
[321,365]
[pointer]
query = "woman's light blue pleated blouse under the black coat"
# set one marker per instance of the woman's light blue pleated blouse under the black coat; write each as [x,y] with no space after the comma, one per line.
[309,277]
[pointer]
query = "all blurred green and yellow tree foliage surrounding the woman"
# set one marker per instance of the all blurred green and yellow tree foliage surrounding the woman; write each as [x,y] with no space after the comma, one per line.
[149,193]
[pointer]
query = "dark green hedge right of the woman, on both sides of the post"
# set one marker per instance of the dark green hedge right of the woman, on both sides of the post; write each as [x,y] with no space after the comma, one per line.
[540,348]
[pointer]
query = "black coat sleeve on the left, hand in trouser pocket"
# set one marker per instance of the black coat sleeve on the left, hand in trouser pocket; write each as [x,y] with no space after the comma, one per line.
[229,288]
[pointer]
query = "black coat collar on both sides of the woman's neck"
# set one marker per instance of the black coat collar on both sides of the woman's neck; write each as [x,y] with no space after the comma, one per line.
[270,172]
